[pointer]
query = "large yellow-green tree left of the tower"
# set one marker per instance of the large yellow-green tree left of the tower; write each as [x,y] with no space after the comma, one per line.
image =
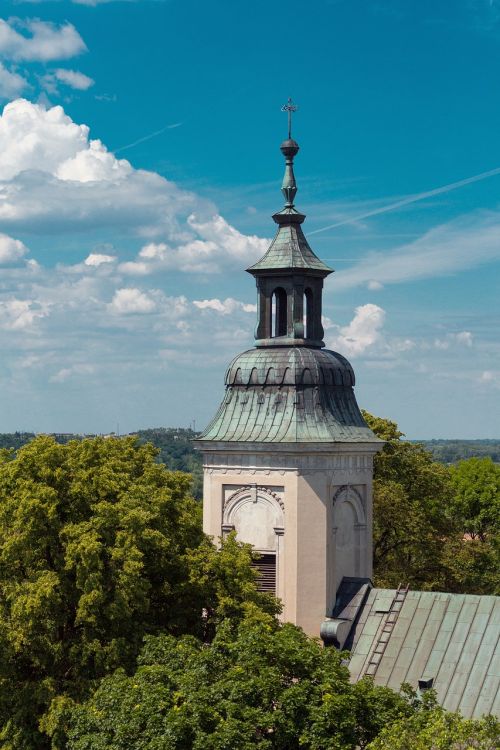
[99,546]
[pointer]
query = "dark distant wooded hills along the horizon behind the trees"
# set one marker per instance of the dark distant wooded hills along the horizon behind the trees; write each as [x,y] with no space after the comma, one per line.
[177,451]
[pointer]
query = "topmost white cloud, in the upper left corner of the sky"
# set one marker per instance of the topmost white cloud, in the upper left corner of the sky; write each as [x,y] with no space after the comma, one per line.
[42,41]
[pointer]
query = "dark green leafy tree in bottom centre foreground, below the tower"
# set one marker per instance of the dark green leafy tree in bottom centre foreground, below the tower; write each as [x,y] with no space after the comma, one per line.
[258,685]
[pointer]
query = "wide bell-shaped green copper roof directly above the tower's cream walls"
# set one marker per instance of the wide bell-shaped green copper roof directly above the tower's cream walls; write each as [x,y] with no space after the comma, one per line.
[289,395]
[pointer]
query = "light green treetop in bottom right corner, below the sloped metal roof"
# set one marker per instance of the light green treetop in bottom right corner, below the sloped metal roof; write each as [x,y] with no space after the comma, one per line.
[435,729]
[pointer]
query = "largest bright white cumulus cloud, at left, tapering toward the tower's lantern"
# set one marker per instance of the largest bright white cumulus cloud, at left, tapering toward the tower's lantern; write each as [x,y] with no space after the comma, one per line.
[55,177]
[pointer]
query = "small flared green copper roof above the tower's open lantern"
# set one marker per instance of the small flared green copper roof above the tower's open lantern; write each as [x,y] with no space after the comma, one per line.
[290,250]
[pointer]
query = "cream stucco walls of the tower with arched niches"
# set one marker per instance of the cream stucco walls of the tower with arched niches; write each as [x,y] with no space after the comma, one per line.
[312,504]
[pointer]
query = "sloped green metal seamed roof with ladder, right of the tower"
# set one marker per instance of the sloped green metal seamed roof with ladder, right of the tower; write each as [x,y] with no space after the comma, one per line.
[451,638]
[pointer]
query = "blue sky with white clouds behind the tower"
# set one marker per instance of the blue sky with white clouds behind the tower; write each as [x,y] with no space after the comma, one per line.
[139,167]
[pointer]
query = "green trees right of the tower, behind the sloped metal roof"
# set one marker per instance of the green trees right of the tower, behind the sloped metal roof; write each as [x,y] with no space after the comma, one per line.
[435,528]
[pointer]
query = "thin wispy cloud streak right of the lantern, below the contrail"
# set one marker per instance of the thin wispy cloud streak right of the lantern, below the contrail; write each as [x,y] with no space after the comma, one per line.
[464,243]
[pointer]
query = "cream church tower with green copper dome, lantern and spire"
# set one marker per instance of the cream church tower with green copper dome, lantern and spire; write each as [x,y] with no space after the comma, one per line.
[288,458]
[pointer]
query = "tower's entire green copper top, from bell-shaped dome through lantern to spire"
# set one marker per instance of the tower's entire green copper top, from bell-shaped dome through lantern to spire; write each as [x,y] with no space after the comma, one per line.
[289,389]
